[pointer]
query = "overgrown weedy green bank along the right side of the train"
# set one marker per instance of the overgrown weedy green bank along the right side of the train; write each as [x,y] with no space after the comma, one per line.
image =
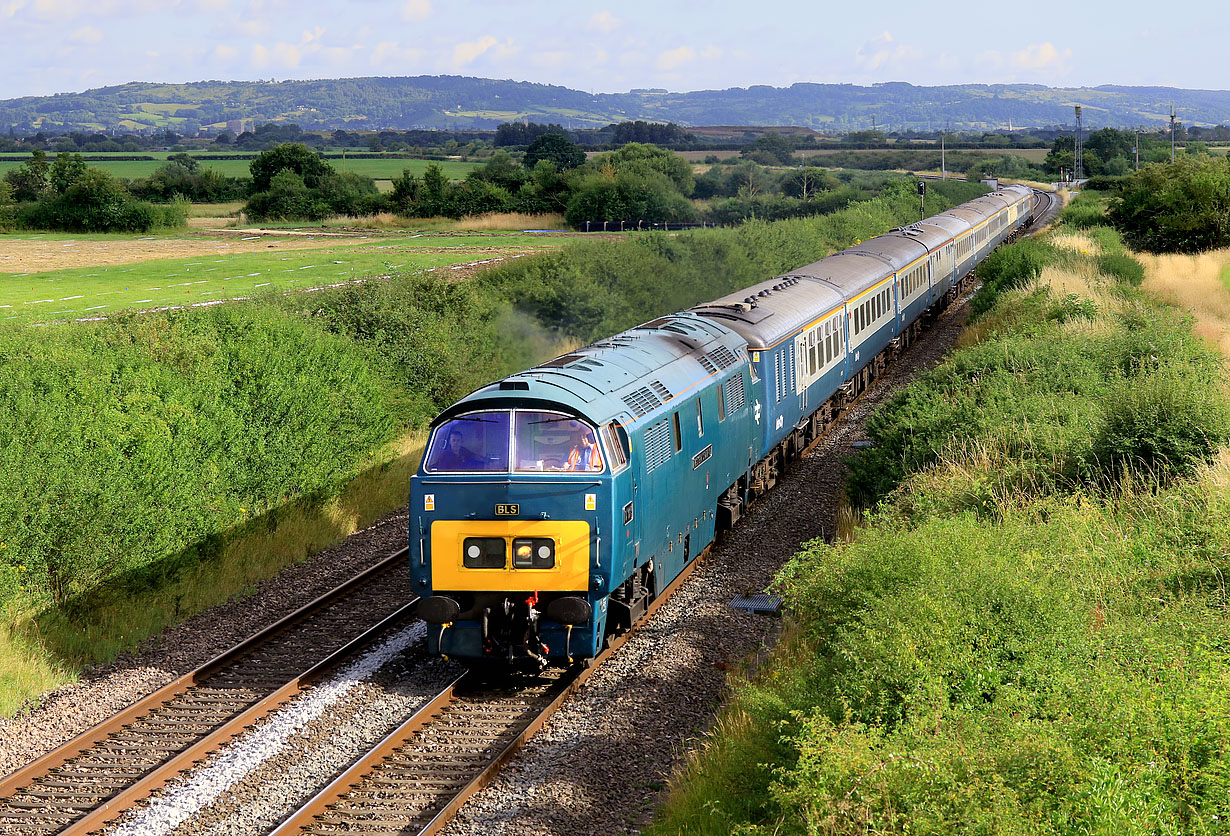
[1029,635]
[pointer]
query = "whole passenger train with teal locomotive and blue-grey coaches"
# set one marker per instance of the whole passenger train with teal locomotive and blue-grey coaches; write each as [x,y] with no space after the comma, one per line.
[554,506]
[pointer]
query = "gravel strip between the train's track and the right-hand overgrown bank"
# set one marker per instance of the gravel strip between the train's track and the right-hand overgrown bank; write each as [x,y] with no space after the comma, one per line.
[602,763]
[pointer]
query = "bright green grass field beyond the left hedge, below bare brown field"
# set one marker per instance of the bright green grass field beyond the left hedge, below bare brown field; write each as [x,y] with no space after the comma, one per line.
[85,292]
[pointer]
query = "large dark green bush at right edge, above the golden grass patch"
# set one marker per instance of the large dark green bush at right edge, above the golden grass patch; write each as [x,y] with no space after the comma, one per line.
[1184,207]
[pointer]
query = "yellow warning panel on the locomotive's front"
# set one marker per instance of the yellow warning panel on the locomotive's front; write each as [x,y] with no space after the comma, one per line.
[571,572]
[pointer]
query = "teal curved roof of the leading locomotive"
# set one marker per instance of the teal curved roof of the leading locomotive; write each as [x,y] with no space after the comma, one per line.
[628,378]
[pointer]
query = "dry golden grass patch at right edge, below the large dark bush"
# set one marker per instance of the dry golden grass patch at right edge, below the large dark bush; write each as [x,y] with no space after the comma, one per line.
[1196,285]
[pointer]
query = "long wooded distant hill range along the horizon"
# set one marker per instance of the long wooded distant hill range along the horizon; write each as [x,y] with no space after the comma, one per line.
[459,103]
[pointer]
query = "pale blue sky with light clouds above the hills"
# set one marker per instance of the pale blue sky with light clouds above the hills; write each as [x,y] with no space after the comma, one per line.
[68,46]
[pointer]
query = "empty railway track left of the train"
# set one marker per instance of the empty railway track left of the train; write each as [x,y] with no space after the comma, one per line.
[93,779]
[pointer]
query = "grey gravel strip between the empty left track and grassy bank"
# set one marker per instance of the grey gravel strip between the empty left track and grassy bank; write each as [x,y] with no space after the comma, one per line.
[72,710]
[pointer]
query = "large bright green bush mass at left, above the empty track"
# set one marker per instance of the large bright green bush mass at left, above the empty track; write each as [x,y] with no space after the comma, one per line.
[131,447]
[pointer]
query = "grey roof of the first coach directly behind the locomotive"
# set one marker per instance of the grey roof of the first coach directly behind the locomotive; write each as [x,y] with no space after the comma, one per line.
[772,310]
